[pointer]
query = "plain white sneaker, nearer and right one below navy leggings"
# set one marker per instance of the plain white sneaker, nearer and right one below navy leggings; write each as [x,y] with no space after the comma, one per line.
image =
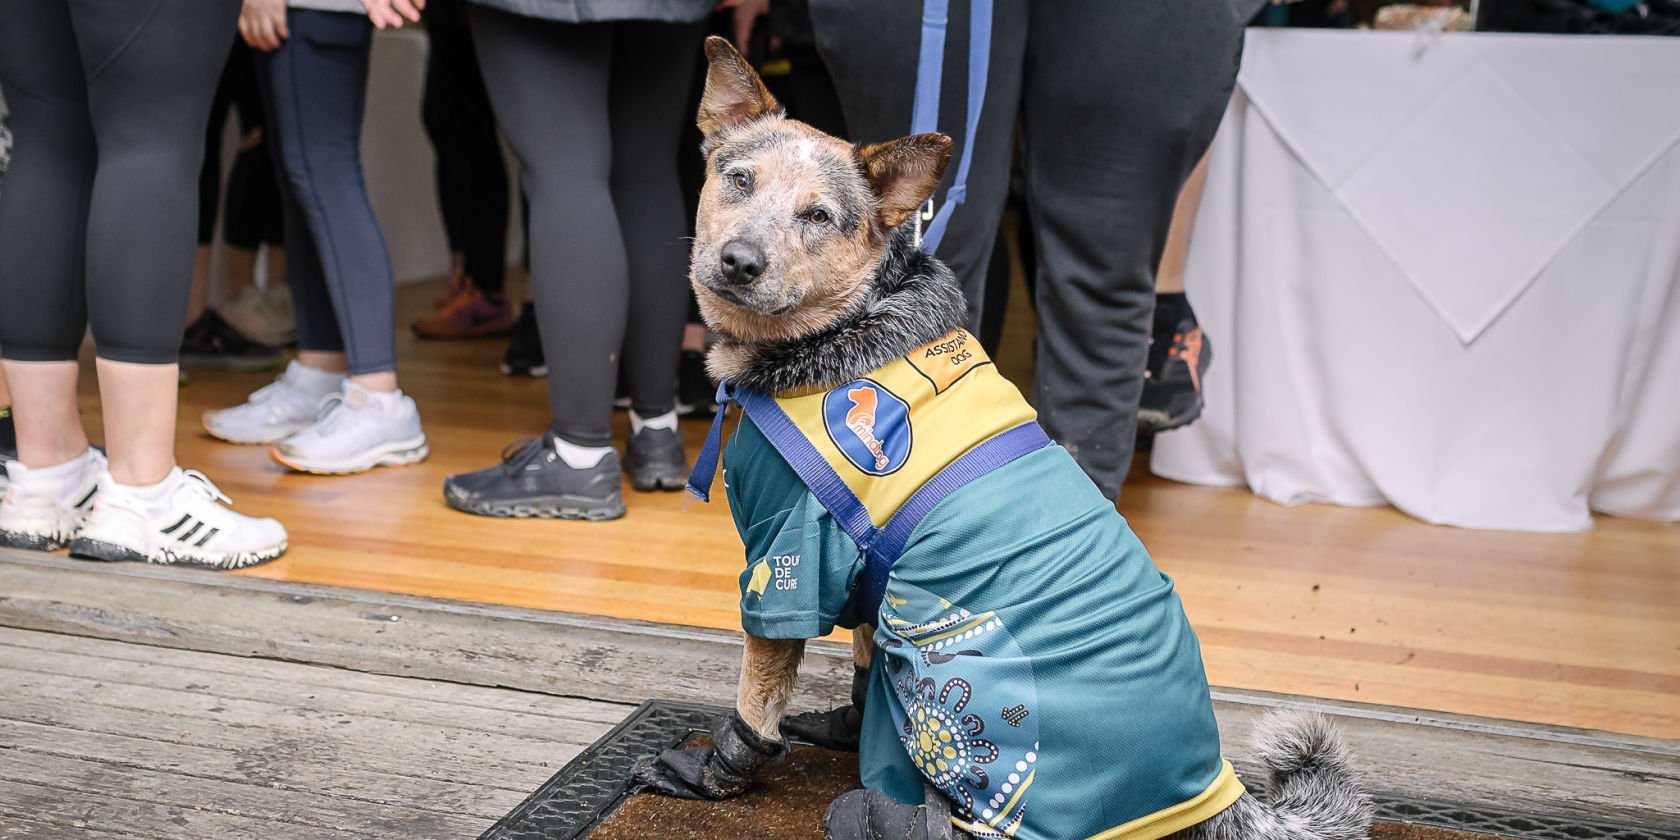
[355,433]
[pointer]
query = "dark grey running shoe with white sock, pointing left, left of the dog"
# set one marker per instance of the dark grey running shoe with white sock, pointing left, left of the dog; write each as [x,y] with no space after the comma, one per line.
[533,481]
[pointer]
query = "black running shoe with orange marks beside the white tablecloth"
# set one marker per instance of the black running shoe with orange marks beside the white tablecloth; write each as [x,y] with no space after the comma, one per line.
[1179,357]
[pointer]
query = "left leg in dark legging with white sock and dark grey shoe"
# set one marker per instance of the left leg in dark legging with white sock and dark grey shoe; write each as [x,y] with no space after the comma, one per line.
[549,85]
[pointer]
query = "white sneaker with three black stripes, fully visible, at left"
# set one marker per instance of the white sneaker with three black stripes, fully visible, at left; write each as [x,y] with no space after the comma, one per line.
[182,522]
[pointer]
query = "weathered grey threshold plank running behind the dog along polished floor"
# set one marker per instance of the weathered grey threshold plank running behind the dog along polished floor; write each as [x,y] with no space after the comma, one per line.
[1501,765]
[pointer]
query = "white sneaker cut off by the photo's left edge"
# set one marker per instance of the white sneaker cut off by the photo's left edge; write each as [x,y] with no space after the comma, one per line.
[45,510]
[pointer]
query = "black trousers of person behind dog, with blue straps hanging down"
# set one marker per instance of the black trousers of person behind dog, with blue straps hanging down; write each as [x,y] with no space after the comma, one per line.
[1118,98]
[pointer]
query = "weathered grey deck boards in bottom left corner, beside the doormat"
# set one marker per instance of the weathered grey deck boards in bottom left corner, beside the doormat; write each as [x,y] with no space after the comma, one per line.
[120,740]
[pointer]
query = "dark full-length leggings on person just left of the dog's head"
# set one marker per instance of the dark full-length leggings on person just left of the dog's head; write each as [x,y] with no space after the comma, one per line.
[594,112]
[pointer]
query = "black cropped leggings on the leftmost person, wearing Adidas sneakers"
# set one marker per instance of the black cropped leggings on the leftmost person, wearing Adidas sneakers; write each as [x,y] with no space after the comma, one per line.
[107,238]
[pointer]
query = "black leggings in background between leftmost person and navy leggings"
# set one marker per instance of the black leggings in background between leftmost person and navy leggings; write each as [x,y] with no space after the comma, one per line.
[253,209]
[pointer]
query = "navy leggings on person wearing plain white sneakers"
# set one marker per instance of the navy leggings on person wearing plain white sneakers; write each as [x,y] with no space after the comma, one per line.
[337,263]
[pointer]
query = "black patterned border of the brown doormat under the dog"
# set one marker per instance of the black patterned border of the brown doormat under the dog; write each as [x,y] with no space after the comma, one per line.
[589,790]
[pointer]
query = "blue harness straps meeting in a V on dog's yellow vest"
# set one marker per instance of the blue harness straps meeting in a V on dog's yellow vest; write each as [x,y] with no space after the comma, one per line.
[886,543]
